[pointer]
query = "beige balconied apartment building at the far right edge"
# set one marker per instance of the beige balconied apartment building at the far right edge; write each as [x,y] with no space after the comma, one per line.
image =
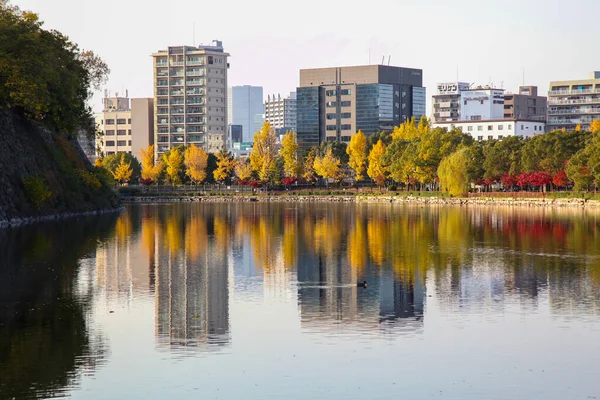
[572,103]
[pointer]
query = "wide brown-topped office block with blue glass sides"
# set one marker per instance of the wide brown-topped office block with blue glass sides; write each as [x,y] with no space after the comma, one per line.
[334,103]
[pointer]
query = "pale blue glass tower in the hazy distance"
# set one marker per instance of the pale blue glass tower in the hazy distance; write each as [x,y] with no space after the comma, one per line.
[247,109]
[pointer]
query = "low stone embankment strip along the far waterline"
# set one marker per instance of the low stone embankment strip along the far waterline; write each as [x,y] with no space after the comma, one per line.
[456,201]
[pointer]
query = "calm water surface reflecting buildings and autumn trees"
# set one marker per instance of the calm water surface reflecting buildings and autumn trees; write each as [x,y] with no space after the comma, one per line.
[259,301]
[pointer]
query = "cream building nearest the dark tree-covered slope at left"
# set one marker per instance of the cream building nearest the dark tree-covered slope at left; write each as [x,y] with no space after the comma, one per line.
[124,128]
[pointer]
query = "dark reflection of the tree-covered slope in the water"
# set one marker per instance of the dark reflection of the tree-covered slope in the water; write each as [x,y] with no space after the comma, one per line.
[46,341]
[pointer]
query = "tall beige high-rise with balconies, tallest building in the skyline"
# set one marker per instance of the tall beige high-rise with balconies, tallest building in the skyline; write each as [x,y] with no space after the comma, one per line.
[190,92]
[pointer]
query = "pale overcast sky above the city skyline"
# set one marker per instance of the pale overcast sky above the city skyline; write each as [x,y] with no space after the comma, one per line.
[479,41]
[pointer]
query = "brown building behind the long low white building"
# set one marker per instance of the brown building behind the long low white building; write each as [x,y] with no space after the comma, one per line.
[525,105]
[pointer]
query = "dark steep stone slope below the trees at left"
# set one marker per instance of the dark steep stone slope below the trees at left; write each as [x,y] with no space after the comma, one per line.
[45,174]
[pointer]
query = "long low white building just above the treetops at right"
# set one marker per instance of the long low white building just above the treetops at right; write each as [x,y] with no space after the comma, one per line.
[496,128]
